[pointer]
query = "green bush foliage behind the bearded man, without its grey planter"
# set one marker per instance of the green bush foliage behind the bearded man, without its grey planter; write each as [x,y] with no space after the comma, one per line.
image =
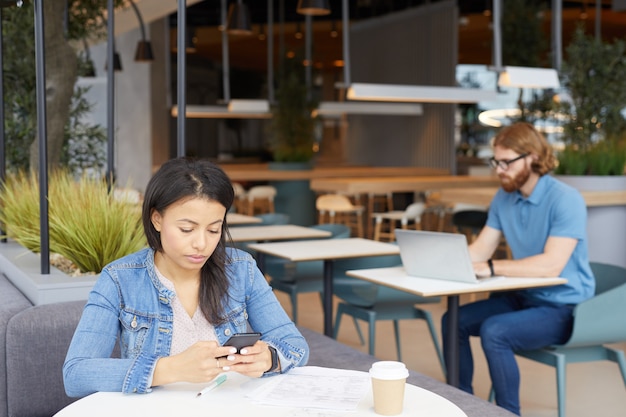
[594,131]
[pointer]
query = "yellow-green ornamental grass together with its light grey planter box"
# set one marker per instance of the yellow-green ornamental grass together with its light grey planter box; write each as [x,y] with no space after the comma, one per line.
[89,226]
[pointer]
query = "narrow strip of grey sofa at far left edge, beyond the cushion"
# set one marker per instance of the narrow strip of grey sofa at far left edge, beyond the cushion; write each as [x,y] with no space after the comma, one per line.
[11,302]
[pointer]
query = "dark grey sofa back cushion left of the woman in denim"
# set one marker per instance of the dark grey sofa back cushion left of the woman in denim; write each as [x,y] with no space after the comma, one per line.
[36,344]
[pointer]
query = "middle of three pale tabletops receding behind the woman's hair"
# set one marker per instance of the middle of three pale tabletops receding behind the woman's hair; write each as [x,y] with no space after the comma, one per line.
[275,232]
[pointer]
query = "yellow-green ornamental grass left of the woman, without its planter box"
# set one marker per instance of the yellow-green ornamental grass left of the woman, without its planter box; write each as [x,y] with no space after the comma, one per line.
[87,224]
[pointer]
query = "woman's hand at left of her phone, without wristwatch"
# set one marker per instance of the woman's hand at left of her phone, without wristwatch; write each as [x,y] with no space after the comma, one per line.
[199,363]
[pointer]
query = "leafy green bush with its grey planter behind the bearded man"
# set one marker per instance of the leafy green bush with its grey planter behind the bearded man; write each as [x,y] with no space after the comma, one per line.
[594,137]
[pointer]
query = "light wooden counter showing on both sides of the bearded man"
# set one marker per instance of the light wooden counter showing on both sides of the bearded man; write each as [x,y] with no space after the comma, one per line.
[484,195]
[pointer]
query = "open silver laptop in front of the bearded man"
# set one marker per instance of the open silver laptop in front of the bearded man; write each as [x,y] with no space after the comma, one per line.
[437,255]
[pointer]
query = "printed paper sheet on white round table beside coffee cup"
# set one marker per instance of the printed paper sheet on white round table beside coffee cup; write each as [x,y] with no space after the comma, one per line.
[314,387]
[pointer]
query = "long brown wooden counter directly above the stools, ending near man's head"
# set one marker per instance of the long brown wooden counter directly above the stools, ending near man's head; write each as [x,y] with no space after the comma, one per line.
[399,184]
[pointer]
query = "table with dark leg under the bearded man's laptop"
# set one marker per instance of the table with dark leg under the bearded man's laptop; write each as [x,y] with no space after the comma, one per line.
[397,278]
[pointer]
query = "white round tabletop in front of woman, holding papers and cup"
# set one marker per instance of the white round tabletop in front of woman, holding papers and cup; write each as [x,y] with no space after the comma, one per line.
[232,399]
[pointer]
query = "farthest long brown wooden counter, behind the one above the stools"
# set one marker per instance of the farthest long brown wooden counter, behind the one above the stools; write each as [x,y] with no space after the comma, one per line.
[262,172]
